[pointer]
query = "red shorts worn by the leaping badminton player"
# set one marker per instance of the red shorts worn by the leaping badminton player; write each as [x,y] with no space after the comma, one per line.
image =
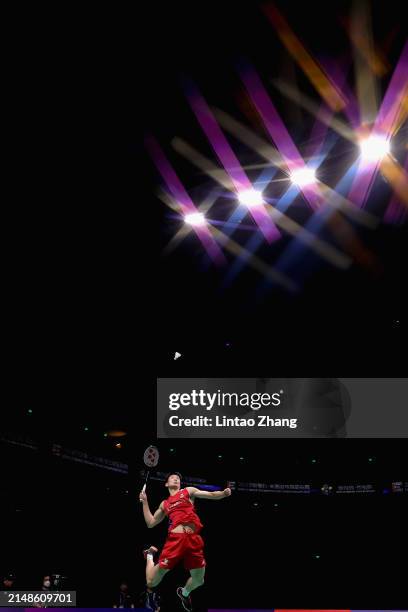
[183,546]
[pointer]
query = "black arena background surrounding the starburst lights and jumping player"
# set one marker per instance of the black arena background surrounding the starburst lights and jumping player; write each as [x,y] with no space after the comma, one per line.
[93,316]
